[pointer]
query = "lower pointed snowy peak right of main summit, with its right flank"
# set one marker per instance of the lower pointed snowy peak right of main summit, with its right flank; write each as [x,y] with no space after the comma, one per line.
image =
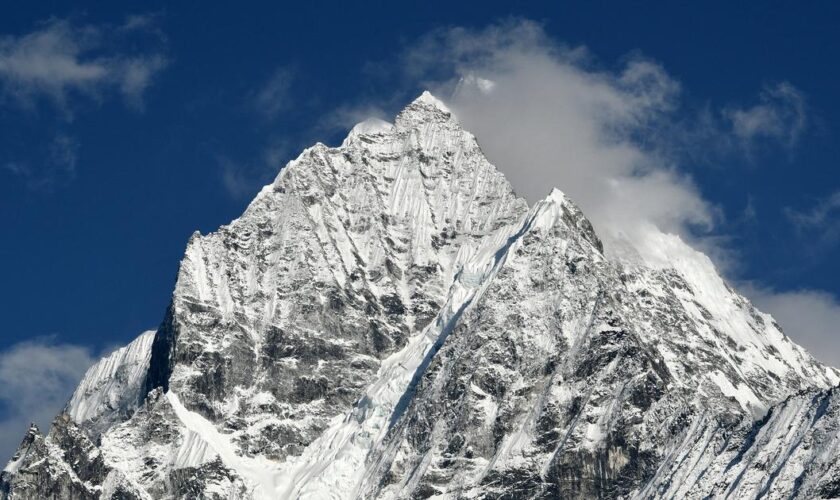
[573,375]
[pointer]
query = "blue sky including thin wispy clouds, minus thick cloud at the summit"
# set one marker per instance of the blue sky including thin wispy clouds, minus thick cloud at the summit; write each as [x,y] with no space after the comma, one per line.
[127,126]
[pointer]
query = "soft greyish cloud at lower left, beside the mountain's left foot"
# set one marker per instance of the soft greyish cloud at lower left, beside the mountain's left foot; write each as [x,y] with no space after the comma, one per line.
[36,379]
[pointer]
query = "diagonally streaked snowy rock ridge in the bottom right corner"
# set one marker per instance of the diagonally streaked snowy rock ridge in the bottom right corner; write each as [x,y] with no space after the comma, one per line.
[792,452]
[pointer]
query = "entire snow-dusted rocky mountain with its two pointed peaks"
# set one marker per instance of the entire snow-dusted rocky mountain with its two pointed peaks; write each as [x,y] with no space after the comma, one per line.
[389,320]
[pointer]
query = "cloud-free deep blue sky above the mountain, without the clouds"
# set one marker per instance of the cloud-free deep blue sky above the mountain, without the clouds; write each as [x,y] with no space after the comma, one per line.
[94,259]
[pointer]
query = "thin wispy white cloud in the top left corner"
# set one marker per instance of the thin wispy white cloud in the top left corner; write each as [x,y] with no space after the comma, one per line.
[61,60]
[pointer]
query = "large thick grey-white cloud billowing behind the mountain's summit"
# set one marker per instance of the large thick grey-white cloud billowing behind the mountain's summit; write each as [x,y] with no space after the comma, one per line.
[547,115]
